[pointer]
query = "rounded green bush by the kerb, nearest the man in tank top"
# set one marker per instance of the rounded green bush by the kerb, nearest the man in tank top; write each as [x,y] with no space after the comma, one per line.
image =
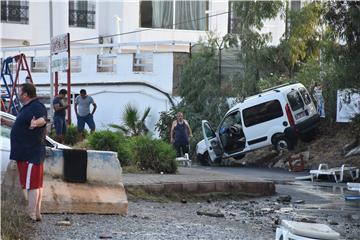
[154,155]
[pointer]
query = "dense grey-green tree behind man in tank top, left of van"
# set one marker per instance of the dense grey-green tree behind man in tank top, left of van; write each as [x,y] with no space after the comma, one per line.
[201,94]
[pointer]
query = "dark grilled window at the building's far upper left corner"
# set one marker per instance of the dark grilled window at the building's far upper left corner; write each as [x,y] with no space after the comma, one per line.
[15,12]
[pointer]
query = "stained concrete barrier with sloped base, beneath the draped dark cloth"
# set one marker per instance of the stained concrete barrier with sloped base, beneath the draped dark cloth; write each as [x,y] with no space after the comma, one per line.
[103,192]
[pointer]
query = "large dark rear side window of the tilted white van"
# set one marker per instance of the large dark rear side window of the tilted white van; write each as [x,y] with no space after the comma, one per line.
[262,112]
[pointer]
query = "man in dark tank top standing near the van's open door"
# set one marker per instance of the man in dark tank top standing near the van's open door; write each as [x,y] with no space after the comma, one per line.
[182,131]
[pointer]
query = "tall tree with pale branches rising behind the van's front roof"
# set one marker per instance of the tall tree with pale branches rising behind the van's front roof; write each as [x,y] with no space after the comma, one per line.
[251,16]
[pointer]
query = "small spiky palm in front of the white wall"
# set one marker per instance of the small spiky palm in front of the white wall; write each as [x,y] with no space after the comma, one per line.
[133,125]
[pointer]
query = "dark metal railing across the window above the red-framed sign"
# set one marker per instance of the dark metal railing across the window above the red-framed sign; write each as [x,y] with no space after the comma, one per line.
[82,18]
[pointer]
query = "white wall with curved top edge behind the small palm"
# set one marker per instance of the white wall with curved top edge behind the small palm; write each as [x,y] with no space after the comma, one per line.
[112,99]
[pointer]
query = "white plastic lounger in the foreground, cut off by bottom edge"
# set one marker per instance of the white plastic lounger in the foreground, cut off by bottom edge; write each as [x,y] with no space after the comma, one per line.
[305,231]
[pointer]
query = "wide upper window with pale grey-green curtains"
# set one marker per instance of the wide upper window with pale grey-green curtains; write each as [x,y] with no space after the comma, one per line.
[189,15]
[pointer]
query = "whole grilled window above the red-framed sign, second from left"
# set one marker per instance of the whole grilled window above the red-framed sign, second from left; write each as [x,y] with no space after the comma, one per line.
[82,14]
